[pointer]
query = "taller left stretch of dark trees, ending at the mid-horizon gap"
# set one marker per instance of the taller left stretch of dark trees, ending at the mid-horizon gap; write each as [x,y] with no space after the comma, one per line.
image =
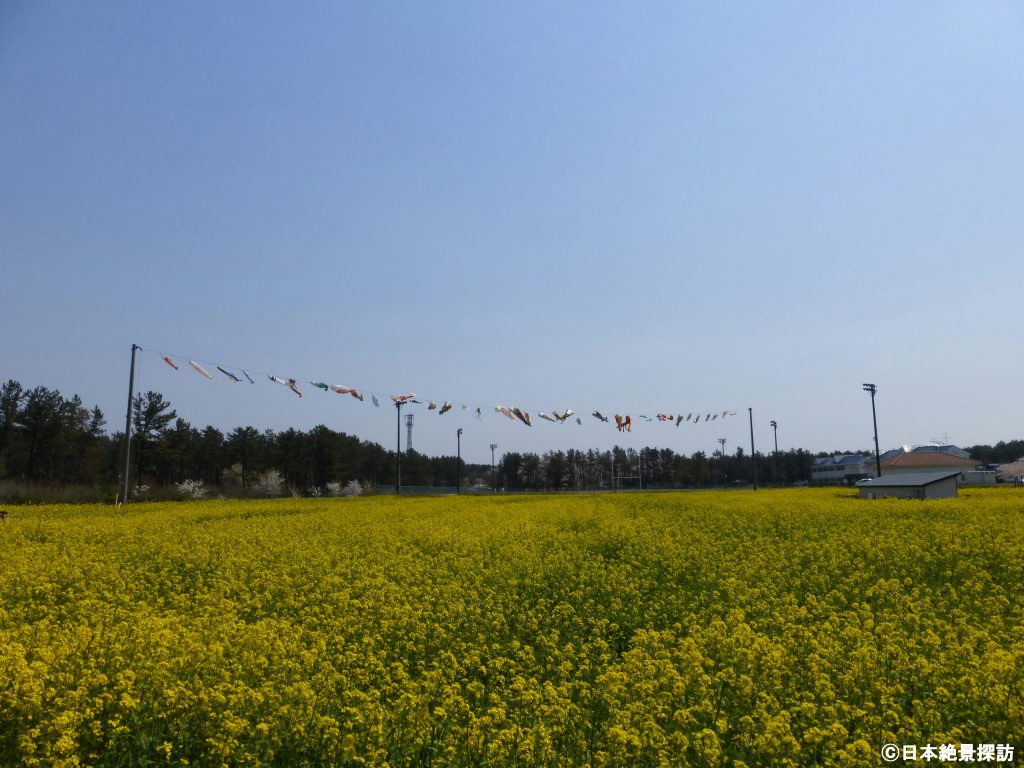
[50,441]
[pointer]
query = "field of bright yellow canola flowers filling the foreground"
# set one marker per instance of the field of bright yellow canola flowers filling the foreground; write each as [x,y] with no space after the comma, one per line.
[778,628]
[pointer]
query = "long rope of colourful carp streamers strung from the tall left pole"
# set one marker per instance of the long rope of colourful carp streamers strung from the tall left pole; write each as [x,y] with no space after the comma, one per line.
[623,423]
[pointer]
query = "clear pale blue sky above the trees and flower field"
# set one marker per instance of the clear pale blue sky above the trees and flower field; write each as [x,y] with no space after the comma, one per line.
[634,207]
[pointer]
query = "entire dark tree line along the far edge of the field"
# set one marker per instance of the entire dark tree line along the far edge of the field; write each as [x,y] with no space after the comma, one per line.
[50,441]
